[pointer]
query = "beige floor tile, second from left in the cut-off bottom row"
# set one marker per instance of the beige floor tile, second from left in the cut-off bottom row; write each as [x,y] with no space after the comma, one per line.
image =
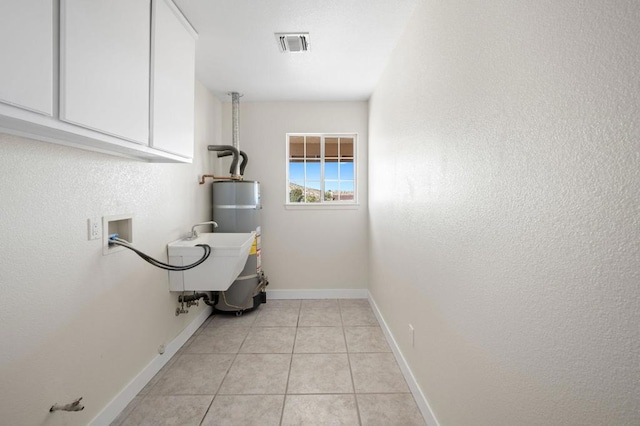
[245,410]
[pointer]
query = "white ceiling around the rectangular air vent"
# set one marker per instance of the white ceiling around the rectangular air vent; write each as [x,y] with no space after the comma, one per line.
[350,43]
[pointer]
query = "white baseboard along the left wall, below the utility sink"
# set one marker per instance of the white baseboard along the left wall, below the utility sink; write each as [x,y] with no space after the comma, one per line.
[120,402]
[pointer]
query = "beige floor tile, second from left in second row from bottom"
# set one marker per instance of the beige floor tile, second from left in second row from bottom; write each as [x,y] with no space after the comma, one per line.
[257,374]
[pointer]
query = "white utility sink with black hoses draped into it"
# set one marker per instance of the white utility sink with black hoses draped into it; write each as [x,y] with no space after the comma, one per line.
[229,252]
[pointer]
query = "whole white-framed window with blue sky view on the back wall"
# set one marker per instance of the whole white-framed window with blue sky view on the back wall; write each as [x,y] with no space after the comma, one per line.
[321,169]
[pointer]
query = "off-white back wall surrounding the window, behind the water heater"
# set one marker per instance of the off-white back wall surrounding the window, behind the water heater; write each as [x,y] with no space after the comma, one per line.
[304,249]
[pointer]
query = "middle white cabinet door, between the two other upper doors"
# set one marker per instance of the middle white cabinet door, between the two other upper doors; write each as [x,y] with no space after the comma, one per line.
[105,54]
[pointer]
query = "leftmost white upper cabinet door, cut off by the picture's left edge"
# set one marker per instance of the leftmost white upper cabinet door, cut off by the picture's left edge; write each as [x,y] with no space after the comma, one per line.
[26,52]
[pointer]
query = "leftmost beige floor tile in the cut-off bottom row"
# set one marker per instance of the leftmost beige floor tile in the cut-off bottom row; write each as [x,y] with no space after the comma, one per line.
[169,410]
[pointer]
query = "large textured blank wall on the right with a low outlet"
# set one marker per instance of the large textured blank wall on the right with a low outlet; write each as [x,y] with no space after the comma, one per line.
[504,209]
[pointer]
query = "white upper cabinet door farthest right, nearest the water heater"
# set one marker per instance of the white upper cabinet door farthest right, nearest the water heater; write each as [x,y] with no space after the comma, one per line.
[173,82]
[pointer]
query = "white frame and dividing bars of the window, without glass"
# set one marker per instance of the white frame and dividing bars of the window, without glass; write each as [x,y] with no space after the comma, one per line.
[323,204]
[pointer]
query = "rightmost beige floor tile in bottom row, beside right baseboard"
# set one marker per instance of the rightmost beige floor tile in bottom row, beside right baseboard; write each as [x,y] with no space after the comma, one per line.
[389,409]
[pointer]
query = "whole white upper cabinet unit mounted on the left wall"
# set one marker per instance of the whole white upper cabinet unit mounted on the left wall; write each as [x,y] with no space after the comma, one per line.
[126,79]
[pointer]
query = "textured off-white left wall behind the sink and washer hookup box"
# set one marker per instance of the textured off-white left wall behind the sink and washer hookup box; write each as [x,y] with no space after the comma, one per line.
[76,323]
